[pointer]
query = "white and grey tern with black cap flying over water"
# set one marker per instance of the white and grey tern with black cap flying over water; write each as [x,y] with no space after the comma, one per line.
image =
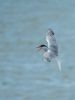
[50,50]
